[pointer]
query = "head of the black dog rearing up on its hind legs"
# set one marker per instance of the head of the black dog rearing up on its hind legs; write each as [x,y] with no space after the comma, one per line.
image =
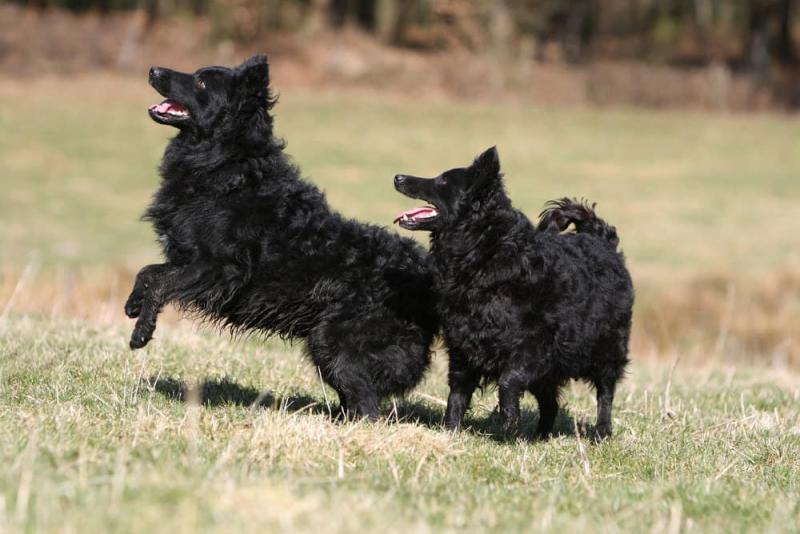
[211,98]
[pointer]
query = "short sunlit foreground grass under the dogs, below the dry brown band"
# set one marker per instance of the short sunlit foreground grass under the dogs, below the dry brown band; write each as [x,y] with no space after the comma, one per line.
[89,443]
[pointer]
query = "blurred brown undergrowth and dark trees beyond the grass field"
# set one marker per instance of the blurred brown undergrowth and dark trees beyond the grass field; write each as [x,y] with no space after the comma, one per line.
[712,54]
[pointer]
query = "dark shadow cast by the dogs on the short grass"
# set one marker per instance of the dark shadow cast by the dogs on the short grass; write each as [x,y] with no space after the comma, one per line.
[221,392]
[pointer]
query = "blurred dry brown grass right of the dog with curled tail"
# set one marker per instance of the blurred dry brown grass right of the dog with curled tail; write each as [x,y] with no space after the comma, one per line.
[723,317]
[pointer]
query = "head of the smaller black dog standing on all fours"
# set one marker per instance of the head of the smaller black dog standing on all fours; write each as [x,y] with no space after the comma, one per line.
[452,196]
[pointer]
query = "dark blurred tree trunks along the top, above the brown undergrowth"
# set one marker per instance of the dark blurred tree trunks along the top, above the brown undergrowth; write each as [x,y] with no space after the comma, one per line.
[751,32]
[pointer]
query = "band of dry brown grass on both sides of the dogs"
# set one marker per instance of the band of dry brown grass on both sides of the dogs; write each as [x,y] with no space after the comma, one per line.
[715,316]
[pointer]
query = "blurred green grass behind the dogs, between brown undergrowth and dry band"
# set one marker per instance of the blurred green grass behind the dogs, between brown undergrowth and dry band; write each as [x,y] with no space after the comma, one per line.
[687,191]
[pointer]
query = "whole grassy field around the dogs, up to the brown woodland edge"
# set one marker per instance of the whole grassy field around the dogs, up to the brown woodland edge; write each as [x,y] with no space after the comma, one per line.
[203,432]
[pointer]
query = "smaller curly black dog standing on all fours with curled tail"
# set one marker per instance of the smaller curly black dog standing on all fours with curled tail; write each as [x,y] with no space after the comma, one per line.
[526,307]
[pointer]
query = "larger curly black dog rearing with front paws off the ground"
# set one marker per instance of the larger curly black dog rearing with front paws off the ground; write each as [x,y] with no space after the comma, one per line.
[252,246]
